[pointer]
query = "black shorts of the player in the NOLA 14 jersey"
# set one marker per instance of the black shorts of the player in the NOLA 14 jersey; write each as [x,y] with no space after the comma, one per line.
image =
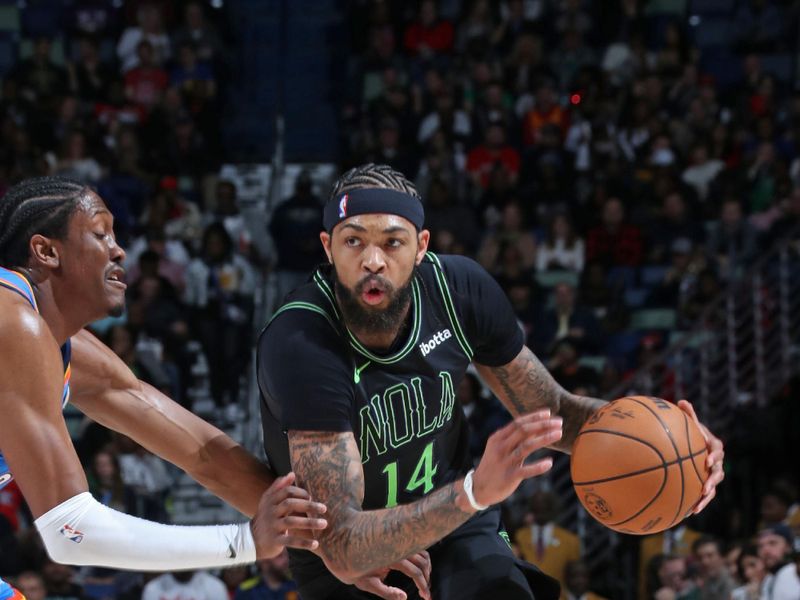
[474,562]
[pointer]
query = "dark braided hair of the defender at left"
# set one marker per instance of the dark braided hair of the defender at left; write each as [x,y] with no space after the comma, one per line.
[40,205]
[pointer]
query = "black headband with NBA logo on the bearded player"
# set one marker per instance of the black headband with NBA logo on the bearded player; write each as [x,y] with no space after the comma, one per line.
[373,200]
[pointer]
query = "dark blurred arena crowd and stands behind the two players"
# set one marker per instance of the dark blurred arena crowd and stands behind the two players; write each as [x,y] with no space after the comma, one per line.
[628,170]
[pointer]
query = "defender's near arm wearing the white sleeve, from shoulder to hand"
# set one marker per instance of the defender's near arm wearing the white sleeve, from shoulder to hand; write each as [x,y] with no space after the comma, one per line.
[75,528]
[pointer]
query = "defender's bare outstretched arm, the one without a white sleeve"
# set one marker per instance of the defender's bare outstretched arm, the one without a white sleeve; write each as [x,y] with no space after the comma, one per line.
[108,392]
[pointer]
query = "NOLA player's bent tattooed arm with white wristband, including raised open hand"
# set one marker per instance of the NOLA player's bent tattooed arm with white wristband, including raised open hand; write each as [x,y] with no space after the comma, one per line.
[356,541]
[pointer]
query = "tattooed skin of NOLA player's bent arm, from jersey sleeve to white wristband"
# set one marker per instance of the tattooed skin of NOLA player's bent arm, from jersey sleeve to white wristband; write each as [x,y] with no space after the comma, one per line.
[356,541]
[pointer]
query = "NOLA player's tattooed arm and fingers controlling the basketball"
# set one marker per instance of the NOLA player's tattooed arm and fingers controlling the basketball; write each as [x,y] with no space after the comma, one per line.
[524,385]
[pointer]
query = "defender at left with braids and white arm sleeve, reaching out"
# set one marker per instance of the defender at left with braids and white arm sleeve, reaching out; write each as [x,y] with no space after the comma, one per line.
[59,270]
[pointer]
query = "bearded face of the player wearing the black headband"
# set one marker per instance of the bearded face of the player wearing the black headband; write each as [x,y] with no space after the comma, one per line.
[374,256]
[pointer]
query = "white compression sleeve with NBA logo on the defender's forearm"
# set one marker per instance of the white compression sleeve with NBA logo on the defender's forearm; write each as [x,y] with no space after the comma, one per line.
[81,531]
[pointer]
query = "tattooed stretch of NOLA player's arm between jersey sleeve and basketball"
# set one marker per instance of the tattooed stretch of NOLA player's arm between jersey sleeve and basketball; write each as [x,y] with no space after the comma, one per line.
[525,385]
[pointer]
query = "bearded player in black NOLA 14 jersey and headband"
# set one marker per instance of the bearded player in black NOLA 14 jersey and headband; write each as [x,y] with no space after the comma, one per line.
[359,370]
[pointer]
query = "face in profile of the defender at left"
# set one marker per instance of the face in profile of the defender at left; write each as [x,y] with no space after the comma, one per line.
[91,261]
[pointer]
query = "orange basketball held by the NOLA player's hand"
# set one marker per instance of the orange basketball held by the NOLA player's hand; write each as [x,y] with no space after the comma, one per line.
[639,465]
